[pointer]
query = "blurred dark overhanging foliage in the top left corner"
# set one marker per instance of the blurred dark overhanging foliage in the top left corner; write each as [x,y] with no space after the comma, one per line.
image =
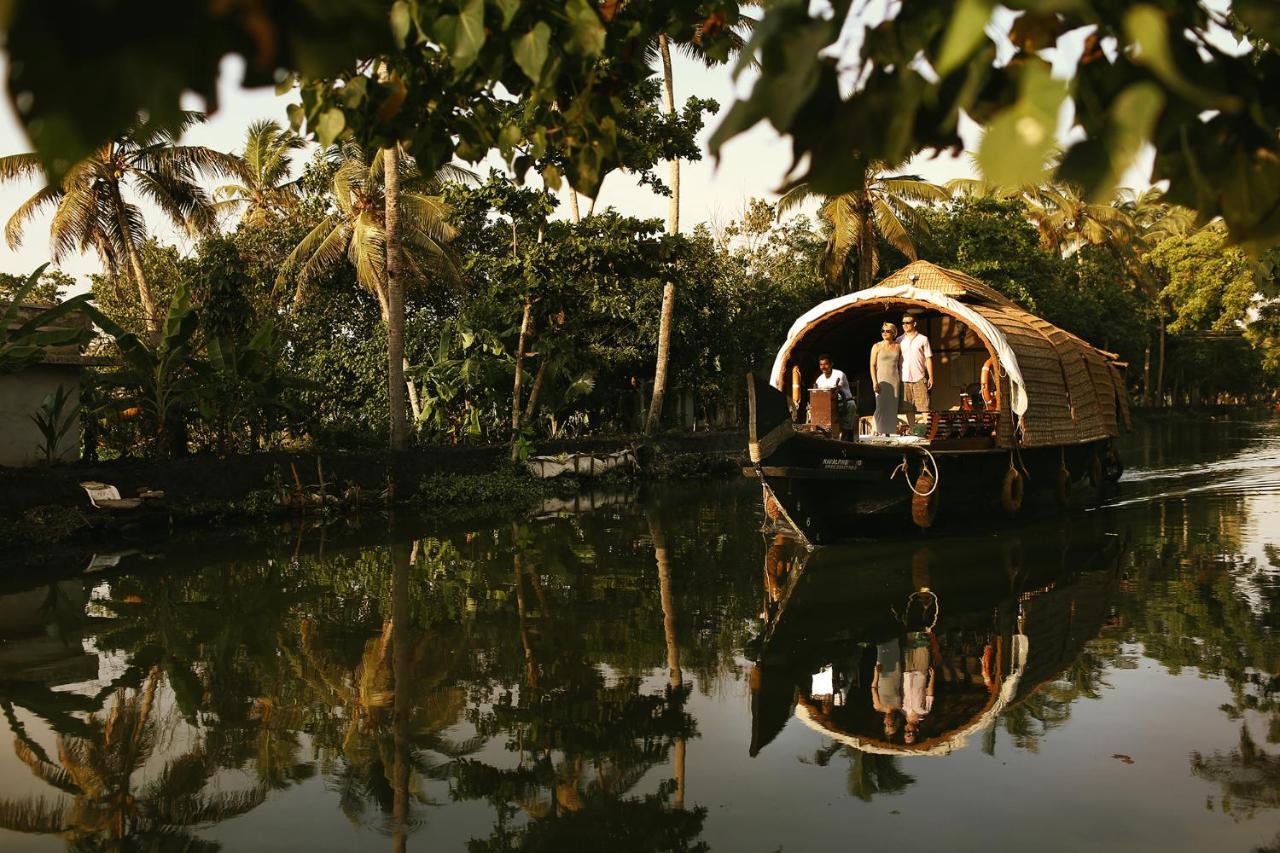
[126,61]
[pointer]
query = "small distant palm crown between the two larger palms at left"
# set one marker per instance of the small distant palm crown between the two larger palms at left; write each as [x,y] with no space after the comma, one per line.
[266,185]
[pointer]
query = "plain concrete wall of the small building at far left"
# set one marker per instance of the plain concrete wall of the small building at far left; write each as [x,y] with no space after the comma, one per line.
[21,395]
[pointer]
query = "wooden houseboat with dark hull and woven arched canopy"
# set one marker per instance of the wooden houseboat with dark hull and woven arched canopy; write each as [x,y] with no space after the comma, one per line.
[1059,408]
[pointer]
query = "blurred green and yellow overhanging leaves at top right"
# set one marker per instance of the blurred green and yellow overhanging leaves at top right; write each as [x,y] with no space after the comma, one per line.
[1150,74]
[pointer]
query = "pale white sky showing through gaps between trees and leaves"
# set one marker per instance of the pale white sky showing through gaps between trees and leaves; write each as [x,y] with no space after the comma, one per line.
[752,166]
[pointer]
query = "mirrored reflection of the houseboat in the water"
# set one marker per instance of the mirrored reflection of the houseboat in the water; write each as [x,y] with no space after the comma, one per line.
[913,651]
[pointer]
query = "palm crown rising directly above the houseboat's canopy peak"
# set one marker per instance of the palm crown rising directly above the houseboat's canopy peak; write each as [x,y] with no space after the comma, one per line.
[883,207]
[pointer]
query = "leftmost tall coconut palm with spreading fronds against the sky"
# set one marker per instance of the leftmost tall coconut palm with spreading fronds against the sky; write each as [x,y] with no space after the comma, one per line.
[97,207]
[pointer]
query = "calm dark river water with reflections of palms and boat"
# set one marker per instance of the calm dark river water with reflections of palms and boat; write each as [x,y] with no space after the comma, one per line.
[659,676]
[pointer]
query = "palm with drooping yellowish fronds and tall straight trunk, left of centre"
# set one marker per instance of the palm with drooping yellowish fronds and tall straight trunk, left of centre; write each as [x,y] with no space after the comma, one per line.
[356,232]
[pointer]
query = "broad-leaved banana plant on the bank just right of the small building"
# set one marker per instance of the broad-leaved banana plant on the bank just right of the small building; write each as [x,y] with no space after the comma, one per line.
[161,378]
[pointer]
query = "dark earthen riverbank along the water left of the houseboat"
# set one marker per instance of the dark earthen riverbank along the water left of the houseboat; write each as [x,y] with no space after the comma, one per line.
[48,507]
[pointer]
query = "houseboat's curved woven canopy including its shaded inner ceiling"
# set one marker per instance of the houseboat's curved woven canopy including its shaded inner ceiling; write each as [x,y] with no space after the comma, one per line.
[1058,389]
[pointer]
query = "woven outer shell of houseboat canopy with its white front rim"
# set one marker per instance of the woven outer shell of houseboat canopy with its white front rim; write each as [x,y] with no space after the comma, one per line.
[1062,390]
